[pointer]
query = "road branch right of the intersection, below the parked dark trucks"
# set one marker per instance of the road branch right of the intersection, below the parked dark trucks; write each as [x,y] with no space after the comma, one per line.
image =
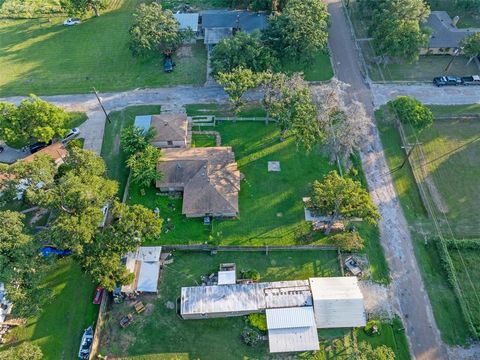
[427,93]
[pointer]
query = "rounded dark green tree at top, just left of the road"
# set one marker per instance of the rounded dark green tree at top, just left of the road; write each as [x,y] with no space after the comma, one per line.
[300,30]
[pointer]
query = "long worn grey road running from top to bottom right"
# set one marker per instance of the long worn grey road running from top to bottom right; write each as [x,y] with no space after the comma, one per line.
[411,298]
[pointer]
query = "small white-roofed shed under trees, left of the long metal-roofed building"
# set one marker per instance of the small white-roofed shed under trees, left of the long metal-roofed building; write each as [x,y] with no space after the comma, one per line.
[145,265]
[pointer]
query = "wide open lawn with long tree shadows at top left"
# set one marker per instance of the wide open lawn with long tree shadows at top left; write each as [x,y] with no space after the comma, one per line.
[44,57]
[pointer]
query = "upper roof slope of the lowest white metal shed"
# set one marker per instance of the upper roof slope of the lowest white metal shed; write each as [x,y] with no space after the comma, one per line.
[290,317]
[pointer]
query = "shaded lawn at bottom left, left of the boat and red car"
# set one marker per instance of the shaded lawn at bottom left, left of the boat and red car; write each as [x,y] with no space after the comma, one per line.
[59,327]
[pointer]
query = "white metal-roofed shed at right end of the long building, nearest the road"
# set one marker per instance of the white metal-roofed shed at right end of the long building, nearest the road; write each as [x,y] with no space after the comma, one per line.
[337,302]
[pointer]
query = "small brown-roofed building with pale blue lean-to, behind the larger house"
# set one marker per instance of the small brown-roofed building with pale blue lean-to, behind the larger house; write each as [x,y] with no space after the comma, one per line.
[171,130]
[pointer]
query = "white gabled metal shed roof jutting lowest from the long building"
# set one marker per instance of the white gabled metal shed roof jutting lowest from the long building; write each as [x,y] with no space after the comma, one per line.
[292,329]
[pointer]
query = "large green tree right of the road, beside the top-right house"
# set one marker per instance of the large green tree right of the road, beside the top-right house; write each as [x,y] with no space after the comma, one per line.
[395,26]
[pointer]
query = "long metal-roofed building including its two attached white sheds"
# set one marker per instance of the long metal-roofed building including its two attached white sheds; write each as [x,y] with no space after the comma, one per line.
[294,309]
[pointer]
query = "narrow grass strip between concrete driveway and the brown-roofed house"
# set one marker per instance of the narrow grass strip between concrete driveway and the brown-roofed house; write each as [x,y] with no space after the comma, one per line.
[111,151]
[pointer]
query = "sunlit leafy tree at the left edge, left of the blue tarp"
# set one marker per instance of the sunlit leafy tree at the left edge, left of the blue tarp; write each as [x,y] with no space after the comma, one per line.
[20,268]
